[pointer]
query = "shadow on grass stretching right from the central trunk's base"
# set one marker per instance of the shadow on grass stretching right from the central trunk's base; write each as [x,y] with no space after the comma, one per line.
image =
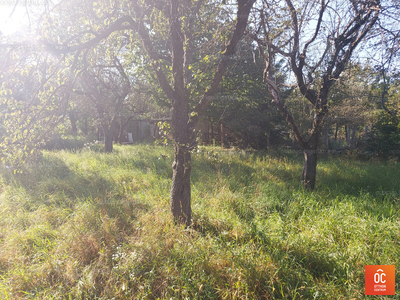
[310,265]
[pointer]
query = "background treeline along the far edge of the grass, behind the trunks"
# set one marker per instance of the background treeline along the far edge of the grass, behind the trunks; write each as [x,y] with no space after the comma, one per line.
[241,114]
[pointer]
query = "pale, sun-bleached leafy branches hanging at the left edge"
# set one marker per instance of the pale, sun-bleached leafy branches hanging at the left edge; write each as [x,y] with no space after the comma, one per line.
[34,93]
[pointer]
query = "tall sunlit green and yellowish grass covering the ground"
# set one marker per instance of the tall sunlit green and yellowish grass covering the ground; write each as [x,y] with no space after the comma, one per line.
[89,225]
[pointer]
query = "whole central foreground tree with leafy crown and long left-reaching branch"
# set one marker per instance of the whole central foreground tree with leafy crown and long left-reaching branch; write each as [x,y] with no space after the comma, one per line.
[180,26]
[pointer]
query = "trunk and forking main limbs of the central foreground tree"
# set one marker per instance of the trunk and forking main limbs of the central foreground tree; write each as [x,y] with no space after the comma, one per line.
[183,117]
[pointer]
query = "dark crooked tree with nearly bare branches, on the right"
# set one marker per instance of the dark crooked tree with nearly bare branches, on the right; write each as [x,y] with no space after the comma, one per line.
[318,38]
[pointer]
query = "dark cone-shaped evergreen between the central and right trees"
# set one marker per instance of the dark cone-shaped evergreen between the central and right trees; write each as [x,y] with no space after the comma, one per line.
[242,105]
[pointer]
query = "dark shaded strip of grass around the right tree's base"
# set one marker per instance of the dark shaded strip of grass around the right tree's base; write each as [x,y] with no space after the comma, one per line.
[340,174]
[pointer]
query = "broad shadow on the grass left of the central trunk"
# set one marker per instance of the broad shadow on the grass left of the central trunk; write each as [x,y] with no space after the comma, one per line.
[51,183]
